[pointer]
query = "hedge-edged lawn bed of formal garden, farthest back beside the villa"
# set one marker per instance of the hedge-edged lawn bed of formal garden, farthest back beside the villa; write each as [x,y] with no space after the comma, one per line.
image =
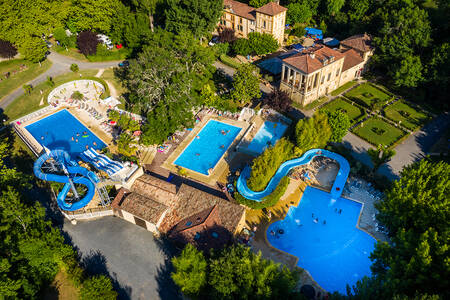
[368,95]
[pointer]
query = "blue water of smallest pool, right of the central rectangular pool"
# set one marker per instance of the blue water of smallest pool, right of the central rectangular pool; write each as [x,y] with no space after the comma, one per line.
[269,133]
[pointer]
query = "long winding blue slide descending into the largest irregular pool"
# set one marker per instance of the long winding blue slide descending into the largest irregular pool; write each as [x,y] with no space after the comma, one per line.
[283,170]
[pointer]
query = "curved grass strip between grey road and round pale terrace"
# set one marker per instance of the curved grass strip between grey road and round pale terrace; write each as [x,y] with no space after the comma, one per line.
[28,103]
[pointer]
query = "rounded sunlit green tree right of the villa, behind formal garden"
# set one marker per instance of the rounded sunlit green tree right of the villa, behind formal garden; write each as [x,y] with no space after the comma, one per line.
[408,73]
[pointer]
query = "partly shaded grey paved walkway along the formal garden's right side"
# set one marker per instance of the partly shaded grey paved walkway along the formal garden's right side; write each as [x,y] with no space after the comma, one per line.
[416,146]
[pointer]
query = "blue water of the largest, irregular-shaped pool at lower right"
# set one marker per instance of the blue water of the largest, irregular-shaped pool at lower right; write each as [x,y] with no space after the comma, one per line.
[335,253]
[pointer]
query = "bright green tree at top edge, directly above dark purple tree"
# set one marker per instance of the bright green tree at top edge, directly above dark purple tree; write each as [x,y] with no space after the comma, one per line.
[95,16]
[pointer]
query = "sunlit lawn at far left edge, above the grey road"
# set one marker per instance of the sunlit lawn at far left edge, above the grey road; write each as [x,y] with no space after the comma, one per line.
[20,78]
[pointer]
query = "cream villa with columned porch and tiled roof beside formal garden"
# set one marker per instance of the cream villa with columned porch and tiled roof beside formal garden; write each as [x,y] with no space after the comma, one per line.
[318,70]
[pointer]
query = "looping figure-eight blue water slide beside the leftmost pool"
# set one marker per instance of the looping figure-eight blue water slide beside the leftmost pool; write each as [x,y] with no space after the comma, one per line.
[71,168]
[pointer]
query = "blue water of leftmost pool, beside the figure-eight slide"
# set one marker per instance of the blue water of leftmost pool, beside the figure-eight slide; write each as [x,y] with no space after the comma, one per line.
[57,131]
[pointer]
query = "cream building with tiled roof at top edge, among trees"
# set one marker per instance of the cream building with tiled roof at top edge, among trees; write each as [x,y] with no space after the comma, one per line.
[244,19]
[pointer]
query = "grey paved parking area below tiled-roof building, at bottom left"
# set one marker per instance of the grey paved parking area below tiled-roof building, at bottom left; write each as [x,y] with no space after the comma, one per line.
[137,262]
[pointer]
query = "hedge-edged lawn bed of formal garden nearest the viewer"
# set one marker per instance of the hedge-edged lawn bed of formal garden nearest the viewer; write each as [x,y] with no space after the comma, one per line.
[376,131]
